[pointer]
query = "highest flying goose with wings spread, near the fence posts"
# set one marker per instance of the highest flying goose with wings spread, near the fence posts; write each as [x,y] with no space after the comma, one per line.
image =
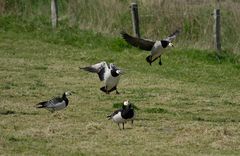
[156,47]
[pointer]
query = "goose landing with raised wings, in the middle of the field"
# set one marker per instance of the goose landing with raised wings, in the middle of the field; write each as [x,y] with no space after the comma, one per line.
[109,73]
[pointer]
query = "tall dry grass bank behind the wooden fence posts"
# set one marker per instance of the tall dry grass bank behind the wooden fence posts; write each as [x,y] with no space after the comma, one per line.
[158,18]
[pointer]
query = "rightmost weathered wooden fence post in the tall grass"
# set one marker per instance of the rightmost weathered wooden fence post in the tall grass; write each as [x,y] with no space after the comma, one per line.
[217,30]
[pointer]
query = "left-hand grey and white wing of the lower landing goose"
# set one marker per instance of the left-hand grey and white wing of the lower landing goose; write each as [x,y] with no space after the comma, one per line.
[98,68]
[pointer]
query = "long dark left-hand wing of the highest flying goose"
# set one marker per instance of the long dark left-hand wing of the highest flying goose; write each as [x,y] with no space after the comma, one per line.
[144,44]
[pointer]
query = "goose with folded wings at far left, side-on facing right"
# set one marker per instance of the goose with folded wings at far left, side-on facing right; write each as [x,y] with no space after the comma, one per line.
[56,103]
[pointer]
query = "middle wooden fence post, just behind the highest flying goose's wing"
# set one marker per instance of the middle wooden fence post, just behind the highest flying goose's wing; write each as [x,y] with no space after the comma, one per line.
[135,19]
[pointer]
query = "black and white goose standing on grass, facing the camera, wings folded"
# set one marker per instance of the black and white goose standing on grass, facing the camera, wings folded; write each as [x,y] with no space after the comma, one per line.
[122,115]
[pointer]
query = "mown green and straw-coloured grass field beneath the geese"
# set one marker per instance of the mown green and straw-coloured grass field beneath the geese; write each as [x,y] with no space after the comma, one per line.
[187,106]
